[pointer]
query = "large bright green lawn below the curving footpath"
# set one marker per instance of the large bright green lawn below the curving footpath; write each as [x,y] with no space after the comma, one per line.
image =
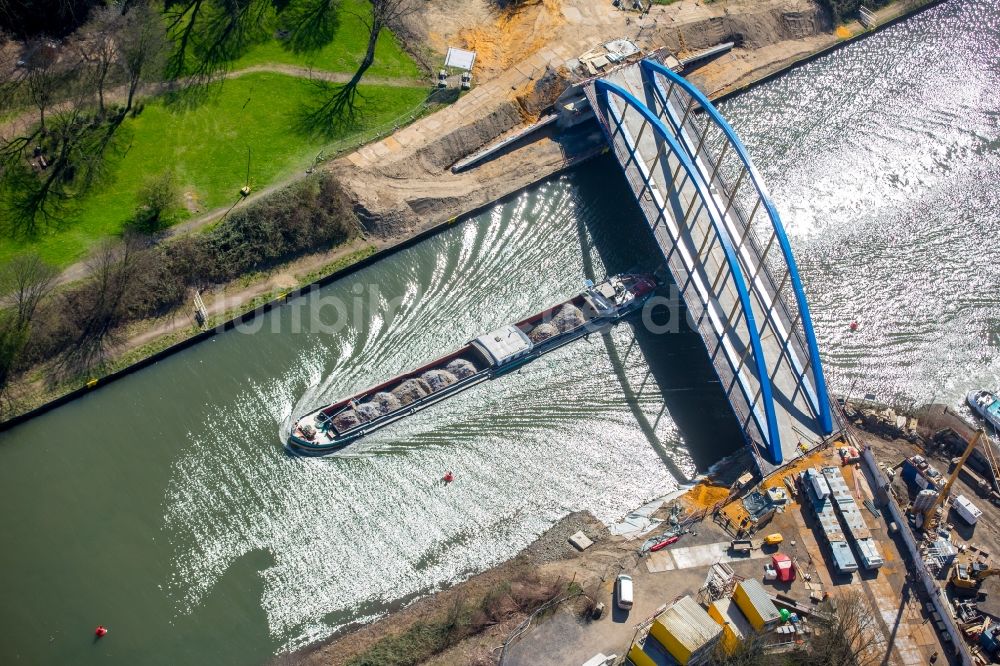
[207,149]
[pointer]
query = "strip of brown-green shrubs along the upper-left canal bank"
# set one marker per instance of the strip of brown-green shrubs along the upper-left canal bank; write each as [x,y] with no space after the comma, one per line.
[71,334]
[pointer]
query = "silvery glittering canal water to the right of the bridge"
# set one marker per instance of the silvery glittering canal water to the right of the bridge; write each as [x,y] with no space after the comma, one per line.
[883,160]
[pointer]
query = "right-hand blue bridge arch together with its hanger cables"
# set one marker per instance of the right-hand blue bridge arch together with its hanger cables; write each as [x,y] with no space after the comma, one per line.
[745,206]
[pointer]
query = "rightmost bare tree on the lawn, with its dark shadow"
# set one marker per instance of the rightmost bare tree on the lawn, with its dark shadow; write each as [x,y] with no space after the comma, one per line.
[341,106]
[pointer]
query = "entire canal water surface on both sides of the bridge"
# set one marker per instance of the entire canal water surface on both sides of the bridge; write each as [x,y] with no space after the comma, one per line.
[164,507]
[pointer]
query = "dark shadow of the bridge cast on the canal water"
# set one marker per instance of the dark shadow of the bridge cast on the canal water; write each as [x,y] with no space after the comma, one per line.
[611,223]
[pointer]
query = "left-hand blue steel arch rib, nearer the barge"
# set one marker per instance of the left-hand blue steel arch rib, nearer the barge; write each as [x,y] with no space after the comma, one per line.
[773,437]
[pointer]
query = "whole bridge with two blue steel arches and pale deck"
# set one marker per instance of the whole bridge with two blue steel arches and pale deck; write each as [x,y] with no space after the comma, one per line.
[725,246]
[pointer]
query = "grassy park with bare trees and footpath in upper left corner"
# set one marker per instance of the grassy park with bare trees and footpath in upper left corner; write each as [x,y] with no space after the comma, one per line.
[138,90]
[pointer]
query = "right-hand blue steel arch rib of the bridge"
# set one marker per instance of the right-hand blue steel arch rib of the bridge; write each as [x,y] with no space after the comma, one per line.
[822,408]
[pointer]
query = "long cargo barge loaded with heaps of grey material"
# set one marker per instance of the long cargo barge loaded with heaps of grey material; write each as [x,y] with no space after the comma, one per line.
[486,357]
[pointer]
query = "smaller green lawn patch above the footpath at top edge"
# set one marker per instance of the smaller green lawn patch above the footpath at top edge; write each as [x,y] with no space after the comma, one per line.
[343,53]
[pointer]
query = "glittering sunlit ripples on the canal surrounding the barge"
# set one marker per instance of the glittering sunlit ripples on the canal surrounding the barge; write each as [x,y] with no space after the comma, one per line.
[354,532]
